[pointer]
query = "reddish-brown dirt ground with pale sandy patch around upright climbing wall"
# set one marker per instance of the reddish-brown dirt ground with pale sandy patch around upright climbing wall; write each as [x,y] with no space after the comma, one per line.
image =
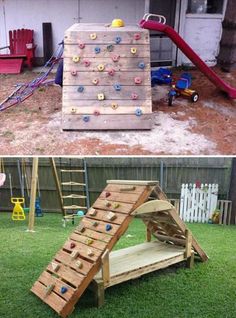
[207,127]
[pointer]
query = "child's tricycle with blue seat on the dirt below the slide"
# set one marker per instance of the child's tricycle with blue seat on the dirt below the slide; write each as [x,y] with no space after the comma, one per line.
[181,87]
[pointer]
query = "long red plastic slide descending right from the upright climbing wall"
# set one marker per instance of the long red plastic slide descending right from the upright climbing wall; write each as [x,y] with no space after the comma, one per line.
[186,49]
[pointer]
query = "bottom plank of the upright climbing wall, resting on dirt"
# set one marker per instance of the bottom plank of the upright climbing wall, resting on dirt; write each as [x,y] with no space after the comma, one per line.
[108,122]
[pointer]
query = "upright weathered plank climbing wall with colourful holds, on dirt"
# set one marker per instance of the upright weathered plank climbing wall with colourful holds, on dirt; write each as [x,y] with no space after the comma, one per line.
[106,81]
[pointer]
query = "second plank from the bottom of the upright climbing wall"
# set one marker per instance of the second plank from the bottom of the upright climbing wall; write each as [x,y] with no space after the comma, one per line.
[103,110]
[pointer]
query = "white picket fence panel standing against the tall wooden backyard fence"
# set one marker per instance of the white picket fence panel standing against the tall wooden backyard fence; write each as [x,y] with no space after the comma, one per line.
[198,203]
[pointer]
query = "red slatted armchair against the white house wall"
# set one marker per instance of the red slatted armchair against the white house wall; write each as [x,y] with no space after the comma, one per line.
[21,47]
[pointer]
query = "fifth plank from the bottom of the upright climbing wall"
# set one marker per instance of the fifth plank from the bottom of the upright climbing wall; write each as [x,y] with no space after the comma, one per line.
[128,64]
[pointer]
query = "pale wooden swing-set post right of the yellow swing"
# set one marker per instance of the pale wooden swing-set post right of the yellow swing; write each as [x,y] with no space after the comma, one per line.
[33,194]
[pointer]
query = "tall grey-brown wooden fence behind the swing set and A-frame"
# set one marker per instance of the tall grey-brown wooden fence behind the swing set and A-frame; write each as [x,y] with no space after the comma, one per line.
[171,172]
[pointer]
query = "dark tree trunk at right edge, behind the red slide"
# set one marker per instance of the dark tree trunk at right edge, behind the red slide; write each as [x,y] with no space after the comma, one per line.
[227,55]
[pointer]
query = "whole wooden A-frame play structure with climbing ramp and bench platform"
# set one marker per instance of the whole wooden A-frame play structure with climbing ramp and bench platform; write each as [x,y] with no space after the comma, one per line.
[86,260]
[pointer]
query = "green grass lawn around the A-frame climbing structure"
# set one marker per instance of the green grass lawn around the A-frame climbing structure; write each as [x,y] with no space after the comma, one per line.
[208,290]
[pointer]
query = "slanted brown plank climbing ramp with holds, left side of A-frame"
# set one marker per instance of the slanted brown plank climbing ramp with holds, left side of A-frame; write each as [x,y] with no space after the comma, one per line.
[74,266]
